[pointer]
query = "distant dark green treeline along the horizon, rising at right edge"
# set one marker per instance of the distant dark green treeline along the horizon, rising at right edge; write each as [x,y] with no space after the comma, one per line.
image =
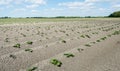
[114,14]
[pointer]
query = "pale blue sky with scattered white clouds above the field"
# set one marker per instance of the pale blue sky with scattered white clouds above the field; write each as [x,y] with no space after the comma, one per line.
[52,8]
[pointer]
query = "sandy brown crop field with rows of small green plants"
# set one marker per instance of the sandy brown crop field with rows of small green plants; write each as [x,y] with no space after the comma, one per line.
[57,44]
